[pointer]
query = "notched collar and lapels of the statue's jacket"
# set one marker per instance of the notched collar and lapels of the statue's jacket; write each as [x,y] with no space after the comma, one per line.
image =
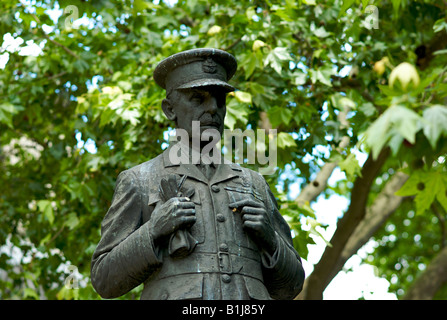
[224,171]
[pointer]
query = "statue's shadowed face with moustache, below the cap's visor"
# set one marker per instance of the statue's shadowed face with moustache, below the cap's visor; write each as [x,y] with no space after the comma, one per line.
[205,104]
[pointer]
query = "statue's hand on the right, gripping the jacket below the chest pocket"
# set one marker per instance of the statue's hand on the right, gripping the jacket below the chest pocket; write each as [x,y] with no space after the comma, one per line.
[257,223]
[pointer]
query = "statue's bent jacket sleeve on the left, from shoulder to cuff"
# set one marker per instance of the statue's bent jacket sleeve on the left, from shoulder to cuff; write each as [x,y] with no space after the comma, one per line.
[125,255]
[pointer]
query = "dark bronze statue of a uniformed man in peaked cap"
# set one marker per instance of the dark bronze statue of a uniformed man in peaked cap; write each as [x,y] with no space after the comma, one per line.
[193,230]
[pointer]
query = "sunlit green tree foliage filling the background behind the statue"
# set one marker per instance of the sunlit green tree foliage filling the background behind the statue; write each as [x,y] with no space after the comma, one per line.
[334,78]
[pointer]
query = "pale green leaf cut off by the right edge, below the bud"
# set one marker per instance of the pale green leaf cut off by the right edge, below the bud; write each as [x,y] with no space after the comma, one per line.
[435,123]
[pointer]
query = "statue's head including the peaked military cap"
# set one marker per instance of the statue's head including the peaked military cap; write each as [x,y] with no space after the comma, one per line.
[196,83]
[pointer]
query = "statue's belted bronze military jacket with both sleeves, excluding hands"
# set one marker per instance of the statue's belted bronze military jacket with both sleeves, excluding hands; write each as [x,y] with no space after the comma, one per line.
[225,263]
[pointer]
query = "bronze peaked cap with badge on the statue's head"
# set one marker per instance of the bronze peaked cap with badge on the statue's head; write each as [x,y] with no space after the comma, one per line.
[196,68]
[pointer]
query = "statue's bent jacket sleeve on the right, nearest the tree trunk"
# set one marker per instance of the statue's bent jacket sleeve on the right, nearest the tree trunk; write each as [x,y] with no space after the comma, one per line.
[283,271]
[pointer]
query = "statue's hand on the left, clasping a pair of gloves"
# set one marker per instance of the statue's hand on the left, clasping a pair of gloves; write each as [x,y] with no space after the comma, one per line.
[176,213]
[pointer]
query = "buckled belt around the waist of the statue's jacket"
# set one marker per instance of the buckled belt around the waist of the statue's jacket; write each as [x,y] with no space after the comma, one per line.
[220,262]
